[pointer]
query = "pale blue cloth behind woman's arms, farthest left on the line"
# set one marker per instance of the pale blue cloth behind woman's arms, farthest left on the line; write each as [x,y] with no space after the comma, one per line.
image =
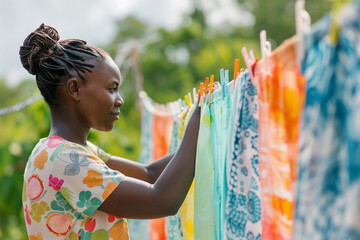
[140,229]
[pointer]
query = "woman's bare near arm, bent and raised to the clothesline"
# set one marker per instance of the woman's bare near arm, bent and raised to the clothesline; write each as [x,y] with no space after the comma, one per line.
[134,198]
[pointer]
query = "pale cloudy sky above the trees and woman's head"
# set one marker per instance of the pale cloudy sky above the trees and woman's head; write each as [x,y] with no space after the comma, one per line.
[93,21]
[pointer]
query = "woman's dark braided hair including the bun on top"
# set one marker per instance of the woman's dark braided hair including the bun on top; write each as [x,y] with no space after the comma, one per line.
[53,62]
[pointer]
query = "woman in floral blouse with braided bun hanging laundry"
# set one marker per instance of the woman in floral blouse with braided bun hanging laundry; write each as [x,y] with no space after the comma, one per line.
[72,189]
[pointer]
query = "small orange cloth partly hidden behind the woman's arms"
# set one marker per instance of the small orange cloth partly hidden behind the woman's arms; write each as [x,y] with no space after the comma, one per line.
[161,139]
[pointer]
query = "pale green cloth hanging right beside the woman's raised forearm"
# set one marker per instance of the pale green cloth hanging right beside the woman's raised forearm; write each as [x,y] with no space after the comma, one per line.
[204,222]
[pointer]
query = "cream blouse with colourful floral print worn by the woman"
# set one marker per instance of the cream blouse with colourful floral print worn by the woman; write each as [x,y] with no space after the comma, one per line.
[64,184]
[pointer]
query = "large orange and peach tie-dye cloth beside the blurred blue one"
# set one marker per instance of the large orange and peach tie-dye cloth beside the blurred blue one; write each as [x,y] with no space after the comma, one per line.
[281,97]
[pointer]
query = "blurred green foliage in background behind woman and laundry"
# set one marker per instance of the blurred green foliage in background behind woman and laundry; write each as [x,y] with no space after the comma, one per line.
[171,67]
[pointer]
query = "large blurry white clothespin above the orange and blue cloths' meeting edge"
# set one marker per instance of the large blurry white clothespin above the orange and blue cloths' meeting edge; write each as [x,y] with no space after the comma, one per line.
[303,22]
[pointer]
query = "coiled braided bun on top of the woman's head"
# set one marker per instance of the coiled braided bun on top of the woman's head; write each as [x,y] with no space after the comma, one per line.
[36,47]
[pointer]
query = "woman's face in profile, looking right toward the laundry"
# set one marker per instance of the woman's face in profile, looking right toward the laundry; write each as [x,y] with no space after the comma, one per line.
[100,100]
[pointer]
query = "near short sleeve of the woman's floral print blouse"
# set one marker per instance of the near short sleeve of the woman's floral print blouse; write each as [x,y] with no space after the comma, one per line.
[85,180]
